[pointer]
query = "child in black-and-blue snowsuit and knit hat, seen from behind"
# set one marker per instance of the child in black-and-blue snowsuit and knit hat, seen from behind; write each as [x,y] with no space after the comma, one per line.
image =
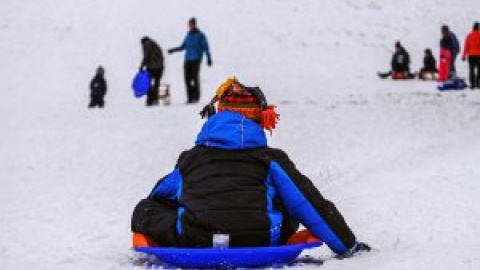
[232,183]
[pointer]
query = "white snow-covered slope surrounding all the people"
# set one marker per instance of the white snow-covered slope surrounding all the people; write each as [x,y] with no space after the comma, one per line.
[400,159]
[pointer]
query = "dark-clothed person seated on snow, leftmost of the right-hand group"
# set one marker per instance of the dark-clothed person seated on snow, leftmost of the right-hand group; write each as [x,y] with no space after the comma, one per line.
[400,64]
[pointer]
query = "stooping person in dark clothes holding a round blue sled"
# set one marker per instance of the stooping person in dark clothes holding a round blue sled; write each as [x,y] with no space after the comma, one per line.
[153,62]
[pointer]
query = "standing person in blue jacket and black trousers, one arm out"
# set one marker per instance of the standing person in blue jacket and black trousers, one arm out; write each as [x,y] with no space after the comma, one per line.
[195,45]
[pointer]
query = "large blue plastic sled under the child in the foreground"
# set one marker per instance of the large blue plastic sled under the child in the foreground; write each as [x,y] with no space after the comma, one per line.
[228,257]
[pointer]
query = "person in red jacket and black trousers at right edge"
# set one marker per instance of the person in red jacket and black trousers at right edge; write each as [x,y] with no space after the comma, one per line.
[472,51]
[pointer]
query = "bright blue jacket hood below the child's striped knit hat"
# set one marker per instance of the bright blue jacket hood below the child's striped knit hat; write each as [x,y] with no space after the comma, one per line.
[232,131]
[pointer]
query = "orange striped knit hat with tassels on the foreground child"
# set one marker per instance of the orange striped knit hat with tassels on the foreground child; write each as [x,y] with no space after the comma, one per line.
[248,101]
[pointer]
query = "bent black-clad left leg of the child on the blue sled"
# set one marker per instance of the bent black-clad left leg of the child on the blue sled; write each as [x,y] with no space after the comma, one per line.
[157,220]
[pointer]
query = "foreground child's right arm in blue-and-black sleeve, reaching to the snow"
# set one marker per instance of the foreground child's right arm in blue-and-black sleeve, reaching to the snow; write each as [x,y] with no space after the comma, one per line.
[304,202]
